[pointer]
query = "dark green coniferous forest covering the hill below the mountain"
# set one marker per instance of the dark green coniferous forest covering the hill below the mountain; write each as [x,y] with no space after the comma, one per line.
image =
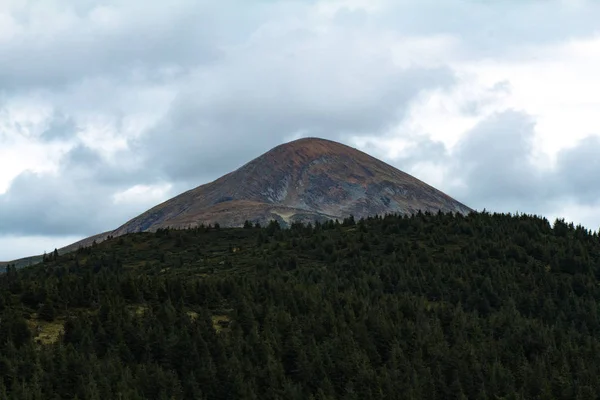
[485,306]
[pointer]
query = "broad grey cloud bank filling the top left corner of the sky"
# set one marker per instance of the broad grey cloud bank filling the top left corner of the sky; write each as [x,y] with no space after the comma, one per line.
[129,42]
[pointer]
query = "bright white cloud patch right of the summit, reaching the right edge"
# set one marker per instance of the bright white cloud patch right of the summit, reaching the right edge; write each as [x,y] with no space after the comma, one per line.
[556,84]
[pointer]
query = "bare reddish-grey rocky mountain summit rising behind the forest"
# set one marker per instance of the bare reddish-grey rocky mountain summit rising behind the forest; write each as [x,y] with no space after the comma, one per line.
[304,180]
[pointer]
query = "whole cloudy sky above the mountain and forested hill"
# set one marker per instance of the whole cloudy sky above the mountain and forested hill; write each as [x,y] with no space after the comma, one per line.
[109,107]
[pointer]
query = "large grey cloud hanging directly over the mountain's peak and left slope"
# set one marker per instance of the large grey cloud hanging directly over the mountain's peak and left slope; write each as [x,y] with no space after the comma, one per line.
[228,116]
